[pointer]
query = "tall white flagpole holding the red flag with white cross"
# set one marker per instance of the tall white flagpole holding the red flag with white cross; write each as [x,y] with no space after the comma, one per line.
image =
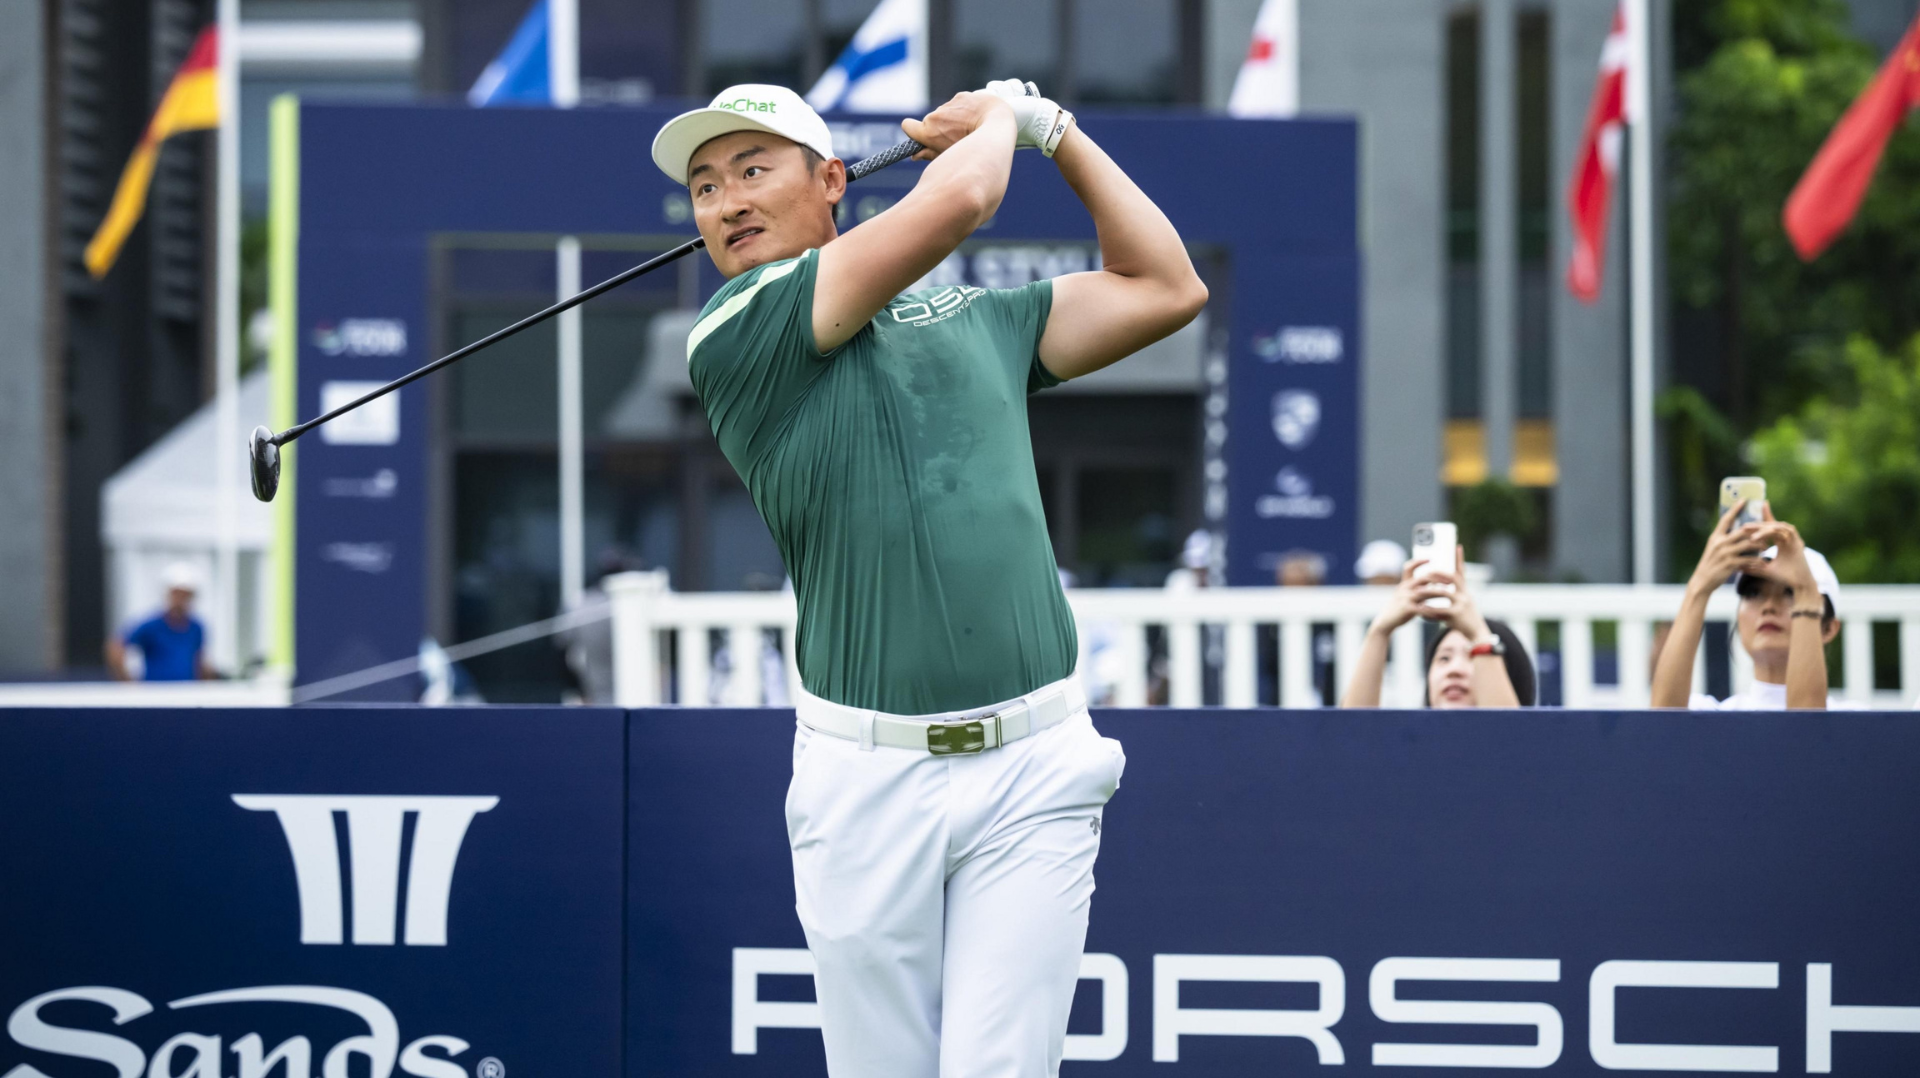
[1641,132]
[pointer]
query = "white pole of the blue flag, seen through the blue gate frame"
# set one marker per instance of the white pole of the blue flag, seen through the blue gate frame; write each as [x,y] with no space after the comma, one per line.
[564,66]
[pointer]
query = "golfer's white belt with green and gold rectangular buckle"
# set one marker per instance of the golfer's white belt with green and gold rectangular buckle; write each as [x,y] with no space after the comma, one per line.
[953,733]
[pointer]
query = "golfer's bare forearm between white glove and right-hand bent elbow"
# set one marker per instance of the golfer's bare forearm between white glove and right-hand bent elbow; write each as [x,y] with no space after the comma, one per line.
[1136,237]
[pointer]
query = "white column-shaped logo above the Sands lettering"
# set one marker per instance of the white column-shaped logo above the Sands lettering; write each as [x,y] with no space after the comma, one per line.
[373,848]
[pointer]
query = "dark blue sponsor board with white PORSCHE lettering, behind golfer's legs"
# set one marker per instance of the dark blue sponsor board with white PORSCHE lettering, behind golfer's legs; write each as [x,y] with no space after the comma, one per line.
[1282,893]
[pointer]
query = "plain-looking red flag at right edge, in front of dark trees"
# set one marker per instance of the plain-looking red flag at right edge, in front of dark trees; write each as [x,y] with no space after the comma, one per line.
[1840,174]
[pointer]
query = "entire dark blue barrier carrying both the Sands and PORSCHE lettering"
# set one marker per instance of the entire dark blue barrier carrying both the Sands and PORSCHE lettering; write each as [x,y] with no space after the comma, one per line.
[492,893]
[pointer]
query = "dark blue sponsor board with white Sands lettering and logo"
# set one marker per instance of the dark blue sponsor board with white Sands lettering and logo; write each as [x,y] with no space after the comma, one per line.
[354,893]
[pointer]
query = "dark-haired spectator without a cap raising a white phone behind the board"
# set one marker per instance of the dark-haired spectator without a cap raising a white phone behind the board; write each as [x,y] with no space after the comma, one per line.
[1474,664]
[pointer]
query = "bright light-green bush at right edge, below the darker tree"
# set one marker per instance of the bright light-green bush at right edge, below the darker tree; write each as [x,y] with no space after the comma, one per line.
[1846,468]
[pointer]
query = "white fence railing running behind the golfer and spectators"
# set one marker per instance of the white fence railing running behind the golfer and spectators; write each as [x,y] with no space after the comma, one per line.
[1157,647]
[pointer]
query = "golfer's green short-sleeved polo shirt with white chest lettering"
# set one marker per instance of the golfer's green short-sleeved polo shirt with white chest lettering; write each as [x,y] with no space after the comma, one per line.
[898,479]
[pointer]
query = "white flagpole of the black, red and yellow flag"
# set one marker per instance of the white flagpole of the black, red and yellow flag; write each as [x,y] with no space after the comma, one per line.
[228,343]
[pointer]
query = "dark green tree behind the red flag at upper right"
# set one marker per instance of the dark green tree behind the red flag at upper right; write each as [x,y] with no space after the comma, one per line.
[1765,84]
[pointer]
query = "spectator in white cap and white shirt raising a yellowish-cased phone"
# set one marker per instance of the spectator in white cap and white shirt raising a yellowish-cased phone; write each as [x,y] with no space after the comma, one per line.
[1788,614]
